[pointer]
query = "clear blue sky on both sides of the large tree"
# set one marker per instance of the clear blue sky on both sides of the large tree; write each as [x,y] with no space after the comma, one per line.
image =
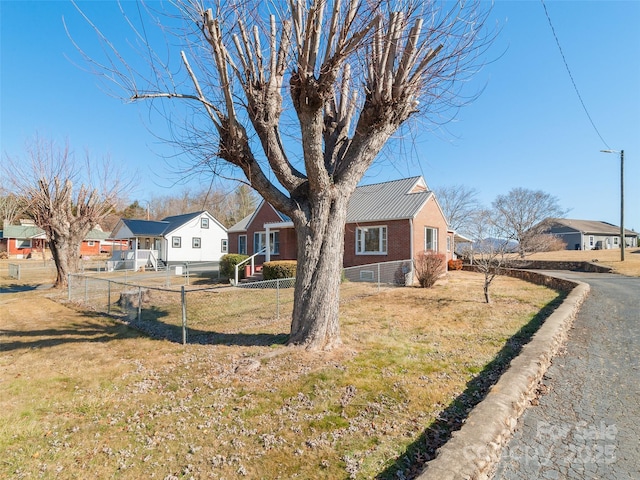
[526,129]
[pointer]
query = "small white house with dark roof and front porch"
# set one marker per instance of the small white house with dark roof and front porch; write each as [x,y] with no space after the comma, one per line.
[192,237]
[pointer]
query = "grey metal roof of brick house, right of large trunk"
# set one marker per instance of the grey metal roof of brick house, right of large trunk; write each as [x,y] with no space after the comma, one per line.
[394,200]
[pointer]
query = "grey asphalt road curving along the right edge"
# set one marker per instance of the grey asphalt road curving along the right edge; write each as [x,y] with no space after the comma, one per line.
[587,422]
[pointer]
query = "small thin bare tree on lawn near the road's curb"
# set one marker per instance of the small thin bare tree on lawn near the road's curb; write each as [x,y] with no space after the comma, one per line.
[487,251]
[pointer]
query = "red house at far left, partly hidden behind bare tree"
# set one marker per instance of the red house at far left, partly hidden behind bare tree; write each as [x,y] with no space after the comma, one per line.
[23,241]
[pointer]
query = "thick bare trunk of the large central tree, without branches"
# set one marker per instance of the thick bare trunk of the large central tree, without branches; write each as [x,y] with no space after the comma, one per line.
[315,322]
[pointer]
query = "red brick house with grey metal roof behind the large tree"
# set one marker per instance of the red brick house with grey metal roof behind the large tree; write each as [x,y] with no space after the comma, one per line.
[385,222]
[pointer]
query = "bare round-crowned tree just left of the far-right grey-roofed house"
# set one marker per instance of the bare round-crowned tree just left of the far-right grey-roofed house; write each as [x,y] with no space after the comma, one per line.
[523,216]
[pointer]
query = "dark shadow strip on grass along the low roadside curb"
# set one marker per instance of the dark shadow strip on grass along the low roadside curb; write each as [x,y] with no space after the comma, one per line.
[410,464]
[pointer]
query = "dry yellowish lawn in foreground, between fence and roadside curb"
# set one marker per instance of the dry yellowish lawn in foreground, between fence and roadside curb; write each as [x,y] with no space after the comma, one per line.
[84,396]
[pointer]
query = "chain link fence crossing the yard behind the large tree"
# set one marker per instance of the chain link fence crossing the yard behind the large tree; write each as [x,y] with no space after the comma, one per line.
[216,314]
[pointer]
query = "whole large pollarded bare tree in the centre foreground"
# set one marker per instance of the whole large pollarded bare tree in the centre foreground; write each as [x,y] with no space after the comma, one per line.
[347,74]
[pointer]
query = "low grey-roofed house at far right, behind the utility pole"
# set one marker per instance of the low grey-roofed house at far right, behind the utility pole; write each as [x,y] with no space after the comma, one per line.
[589,234]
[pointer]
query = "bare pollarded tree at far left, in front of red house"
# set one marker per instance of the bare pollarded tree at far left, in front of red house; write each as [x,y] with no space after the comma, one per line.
[65,197]
